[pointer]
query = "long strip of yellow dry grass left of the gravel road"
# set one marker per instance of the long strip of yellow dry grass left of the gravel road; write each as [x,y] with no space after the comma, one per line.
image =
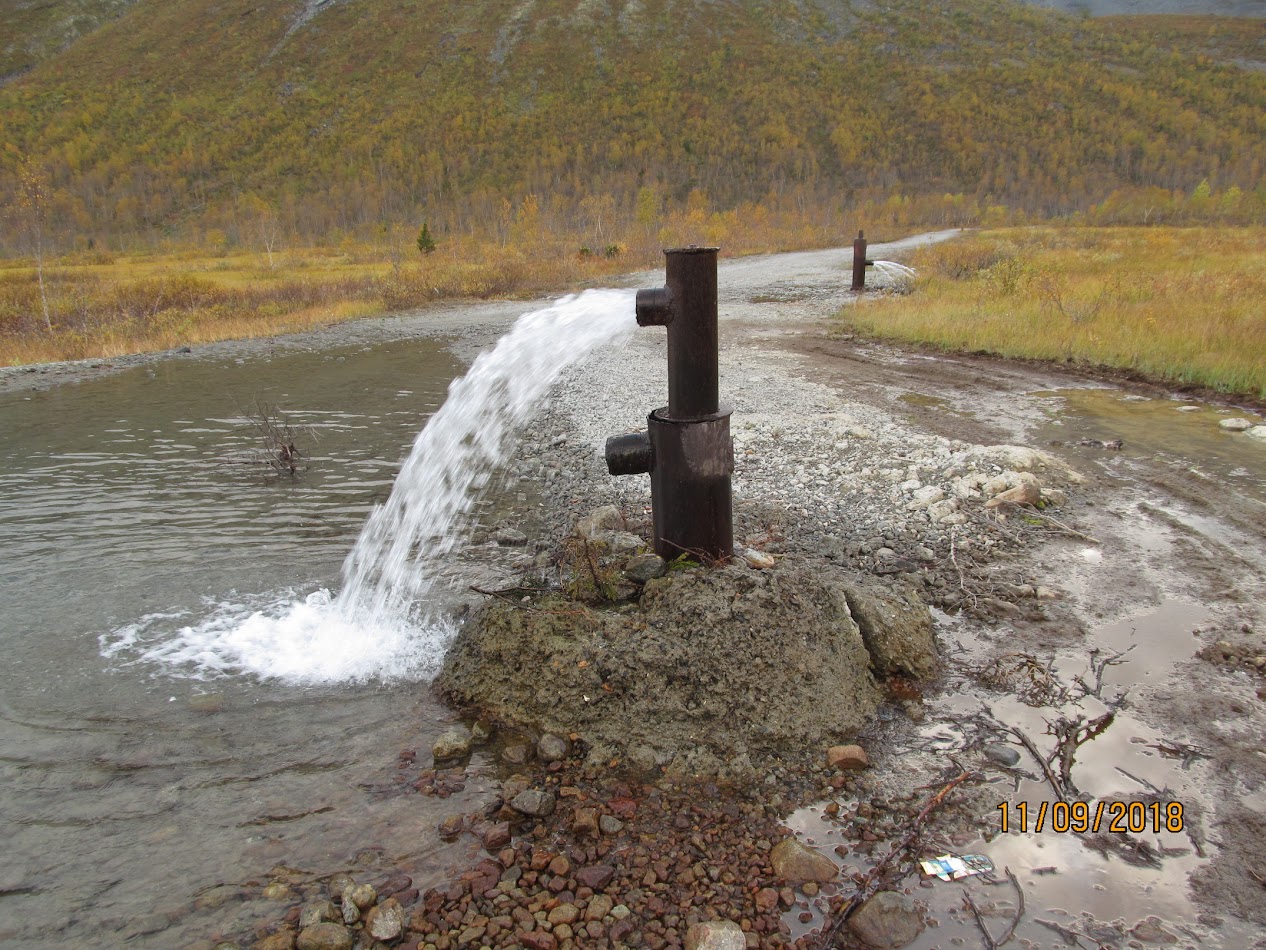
[104,306]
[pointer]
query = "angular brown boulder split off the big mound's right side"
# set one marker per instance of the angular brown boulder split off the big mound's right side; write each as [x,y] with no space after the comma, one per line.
[897,630]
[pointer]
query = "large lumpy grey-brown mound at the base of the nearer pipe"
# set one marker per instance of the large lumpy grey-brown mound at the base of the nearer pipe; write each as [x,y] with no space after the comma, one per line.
[713,625]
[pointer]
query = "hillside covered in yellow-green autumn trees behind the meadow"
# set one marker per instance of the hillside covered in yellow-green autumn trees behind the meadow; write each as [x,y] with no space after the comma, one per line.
[187,118]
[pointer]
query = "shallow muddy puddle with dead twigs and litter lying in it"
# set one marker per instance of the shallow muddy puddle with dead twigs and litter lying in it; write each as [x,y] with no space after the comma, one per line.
[1100,887]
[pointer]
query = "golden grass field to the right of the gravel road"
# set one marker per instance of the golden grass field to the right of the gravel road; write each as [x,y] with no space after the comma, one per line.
[1183,306]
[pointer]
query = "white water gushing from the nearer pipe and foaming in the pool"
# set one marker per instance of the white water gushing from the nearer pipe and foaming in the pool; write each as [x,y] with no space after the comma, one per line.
[382,626]
